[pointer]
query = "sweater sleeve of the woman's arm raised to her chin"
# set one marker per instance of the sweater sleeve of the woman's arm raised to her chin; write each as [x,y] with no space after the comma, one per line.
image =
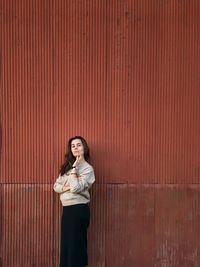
[83,182]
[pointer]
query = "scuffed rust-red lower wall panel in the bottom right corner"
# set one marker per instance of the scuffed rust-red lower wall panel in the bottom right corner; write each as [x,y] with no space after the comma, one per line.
[177,225]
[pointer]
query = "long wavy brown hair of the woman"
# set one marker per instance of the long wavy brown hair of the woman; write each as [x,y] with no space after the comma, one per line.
[69,157]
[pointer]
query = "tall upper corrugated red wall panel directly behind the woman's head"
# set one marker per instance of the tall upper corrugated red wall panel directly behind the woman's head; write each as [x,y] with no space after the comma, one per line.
[80,77]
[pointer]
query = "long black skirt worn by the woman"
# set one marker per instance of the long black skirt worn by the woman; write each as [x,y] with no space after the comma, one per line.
[74,224]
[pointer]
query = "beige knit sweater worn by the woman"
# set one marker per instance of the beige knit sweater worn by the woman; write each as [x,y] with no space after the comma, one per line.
[79,186]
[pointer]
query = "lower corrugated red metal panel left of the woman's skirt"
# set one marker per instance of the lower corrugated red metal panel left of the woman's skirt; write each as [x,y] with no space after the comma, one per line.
[27,225]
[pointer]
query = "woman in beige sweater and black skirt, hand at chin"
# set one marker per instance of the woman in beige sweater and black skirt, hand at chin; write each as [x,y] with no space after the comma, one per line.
[75,179]
